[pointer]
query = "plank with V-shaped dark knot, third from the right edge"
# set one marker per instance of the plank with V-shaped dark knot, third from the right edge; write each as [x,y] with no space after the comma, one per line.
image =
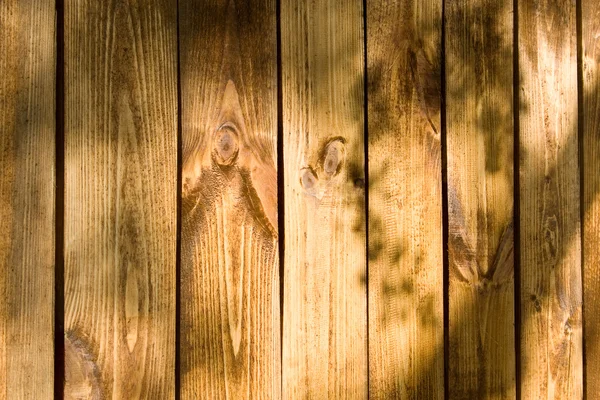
[479,81]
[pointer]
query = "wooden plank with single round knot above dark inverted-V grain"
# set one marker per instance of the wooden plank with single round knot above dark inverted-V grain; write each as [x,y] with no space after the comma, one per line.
[230,323]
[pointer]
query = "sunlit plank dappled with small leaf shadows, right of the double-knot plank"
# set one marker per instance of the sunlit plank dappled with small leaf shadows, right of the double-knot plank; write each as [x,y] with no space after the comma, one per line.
[406,332]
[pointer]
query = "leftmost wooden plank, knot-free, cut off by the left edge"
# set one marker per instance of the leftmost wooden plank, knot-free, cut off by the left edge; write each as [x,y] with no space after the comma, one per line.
[27,179]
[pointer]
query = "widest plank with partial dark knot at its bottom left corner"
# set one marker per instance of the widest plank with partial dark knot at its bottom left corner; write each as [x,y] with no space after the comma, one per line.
[120,198]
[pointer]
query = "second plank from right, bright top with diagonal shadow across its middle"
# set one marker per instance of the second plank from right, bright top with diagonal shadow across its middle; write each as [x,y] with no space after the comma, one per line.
[551,295]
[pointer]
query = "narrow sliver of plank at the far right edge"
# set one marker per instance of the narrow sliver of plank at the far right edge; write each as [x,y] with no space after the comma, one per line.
[591,186]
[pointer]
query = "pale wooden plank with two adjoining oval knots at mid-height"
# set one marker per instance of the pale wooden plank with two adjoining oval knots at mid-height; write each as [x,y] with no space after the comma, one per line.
[325,331]
